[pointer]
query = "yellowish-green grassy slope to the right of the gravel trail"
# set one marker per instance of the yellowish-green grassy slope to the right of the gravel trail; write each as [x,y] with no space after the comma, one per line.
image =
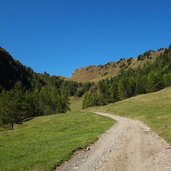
[154,109]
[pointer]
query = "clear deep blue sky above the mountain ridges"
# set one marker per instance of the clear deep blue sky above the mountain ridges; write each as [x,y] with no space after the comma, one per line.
[59,36]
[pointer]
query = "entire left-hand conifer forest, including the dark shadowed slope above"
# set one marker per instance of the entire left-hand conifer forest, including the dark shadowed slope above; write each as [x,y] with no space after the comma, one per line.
[25,94]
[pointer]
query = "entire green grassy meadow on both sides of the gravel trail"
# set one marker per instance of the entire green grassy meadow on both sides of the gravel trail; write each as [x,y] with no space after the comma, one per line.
[45,142]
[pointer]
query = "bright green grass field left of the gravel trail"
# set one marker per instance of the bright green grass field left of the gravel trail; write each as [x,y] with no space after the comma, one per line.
[44,142]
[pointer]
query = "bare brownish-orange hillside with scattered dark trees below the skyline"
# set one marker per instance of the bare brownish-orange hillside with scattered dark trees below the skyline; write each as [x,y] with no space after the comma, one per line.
[95,73]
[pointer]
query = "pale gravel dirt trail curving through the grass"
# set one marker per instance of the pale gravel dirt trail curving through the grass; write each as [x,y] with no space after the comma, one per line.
[129,145]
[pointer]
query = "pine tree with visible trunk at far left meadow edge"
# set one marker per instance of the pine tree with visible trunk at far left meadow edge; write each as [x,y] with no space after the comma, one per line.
[13,107]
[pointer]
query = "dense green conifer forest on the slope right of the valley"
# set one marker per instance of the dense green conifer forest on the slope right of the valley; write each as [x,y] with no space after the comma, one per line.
[131,82]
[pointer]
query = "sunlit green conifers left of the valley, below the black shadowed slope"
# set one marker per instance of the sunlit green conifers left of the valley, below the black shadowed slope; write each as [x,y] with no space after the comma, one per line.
[19,104]
